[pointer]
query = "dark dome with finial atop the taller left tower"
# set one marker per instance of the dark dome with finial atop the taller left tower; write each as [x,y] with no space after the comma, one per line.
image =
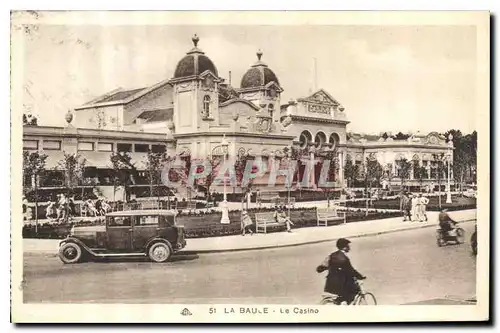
[194,63]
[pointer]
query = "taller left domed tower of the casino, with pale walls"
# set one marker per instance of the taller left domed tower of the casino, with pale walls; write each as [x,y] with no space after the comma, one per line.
[195,88]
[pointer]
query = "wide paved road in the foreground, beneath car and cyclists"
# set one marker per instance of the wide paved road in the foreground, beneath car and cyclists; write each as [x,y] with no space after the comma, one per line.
[402,267]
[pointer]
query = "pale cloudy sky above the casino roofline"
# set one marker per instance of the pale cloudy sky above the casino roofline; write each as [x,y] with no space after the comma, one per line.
[388,78]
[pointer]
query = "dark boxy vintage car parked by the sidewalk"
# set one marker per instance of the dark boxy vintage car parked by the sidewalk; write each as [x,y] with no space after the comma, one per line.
[151,233]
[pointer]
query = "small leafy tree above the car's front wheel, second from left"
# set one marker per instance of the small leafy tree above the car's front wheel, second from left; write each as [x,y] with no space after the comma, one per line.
[73,166]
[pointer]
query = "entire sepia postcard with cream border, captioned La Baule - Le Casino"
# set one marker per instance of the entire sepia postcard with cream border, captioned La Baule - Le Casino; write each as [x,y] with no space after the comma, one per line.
[212,167]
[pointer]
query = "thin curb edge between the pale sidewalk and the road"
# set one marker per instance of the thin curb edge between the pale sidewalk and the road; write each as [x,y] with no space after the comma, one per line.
[267,247]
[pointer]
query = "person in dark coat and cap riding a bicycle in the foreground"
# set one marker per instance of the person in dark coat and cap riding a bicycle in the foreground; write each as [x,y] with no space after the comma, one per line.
[341,279]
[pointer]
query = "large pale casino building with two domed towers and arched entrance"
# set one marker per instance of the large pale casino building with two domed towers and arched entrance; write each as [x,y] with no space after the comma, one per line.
[190,114]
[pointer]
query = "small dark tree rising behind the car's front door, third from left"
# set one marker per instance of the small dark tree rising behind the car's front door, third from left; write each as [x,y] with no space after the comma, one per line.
[124,172]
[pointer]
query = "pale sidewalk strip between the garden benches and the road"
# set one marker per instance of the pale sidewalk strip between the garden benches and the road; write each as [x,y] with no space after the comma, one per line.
[300,236]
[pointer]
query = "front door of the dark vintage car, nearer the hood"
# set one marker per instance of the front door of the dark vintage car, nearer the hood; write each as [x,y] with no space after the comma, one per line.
[119,233]
